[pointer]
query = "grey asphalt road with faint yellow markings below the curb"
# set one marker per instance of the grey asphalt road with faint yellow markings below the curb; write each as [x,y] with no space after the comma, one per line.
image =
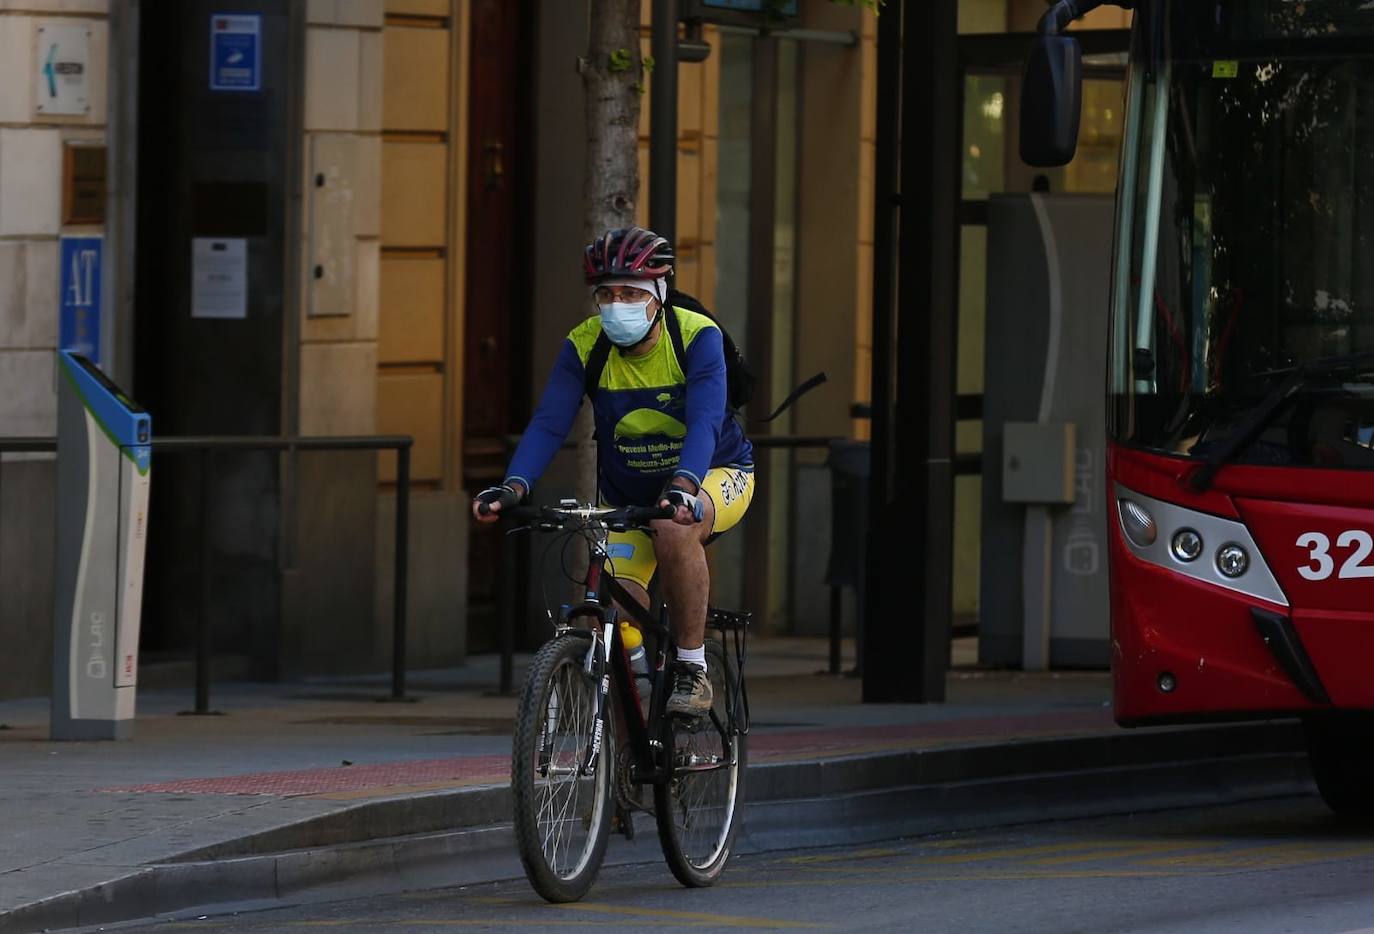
[1280,866]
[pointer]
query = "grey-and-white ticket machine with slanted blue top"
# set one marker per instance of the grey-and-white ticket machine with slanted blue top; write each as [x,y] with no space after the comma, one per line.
[104,473]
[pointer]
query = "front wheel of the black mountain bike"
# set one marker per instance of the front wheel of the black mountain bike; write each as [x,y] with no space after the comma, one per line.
[563,815]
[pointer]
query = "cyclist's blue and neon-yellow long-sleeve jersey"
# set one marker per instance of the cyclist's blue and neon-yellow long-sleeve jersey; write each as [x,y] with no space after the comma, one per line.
[653,421]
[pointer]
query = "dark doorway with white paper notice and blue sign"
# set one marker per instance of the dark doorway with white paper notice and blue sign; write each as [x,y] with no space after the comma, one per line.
[212,167]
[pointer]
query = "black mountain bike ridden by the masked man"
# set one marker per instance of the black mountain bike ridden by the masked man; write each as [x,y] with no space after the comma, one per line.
[582,703]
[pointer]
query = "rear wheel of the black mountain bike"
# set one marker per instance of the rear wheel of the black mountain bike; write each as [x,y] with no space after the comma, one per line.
[699,814]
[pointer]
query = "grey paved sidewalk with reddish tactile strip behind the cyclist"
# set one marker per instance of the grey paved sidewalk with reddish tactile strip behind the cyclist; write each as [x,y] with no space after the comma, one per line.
[83,815]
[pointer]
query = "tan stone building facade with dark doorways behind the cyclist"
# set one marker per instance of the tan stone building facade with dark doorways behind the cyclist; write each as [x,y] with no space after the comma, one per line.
[395,189]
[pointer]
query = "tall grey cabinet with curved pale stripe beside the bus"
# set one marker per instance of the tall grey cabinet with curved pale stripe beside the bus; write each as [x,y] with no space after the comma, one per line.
[1045,521]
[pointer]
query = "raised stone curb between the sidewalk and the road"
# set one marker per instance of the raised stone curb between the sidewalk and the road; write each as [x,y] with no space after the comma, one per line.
[464,837]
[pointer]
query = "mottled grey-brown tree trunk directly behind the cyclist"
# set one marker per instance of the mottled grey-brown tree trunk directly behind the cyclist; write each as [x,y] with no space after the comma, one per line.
[613,86]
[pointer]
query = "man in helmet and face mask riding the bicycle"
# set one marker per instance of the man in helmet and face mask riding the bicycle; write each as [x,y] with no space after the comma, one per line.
[666,435]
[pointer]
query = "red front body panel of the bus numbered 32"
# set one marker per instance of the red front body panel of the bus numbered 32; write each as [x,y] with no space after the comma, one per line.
[1314,531]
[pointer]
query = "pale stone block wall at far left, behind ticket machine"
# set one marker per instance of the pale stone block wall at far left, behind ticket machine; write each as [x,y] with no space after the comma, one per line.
[32,148]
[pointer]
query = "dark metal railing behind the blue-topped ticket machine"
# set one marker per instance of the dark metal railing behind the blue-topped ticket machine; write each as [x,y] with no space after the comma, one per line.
[402,444]
